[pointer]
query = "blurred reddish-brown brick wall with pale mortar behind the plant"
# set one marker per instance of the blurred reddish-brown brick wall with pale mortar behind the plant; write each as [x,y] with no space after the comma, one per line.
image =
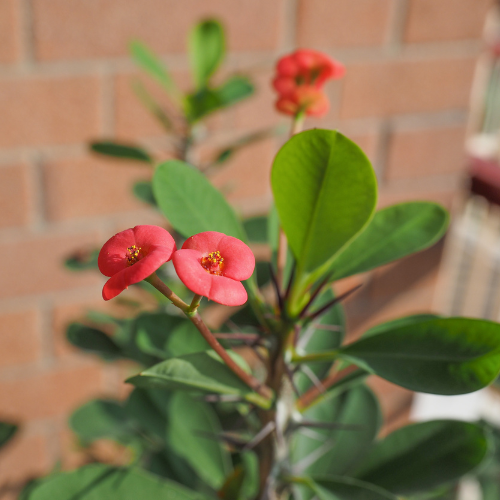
[64,76]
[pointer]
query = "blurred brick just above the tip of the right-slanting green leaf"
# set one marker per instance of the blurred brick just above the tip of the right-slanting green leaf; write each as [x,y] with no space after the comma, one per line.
[420,153]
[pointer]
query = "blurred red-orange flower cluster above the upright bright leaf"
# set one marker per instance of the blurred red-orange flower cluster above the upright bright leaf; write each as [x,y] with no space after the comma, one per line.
[300,79]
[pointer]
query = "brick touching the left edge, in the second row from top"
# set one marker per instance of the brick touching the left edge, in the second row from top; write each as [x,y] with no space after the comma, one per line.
[42,111]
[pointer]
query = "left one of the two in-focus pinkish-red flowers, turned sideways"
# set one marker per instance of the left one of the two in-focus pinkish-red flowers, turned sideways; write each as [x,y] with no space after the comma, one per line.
[133,255]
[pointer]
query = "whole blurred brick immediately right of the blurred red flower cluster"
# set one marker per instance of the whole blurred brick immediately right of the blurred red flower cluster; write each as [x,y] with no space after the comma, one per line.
[388,88]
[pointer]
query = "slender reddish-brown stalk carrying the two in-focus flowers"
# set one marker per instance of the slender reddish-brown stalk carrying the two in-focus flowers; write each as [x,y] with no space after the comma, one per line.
[195,318]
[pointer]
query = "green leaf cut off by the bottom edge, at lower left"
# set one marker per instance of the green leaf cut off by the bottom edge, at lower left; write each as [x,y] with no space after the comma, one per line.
[98,482]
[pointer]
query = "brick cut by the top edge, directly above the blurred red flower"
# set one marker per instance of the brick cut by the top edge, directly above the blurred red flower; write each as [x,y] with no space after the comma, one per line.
[343,23]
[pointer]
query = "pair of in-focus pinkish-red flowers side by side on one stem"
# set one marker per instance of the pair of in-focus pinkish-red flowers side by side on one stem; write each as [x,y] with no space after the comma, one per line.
[210,264]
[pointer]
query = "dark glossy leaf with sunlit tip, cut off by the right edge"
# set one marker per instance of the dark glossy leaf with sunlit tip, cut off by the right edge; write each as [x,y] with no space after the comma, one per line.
[440,356]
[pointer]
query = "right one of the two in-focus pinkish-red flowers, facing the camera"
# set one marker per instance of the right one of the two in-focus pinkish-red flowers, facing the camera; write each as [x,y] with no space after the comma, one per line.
[213,264]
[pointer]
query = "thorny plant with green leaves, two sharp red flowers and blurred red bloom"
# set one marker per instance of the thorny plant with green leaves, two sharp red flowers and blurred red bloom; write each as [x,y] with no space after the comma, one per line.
[270,401]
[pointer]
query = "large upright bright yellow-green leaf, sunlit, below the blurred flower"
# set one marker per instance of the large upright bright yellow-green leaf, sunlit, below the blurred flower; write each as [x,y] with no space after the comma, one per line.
[325,192]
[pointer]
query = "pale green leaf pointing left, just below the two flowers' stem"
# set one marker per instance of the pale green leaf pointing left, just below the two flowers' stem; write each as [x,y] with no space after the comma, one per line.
[202,371]
